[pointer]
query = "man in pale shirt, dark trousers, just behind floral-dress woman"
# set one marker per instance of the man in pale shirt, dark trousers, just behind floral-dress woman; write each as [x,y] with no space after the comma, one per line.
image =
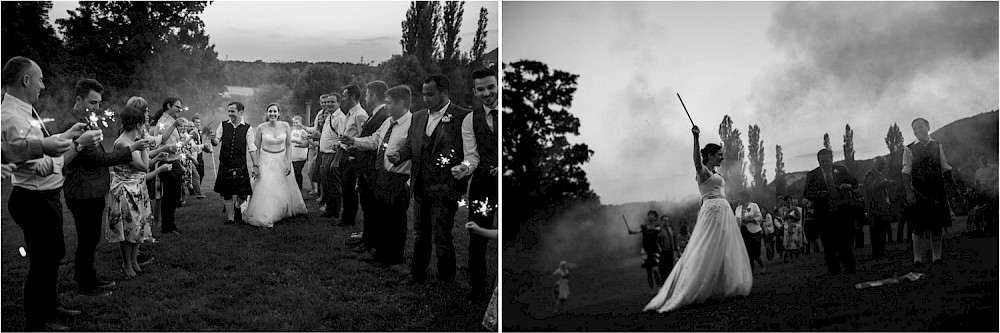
[172,181]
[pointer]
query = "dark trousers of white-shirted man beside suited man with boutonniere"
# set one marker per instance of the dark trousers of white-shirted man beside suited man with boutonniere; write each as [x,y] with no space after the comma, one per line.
[385,223]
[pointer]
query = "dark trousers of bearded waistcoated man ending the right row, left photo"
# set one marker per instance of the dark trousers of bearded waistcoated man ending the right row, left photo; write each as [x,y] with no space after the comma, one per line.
[482,191]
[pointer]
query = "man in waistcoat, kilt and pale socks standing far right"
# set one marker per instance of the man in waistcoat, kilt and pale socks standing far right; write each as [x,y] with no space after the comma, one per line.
[925,173]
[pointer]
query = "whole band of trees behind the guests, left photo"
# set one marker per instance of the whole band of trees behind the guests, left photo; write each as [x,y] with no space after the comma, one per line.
[160,49]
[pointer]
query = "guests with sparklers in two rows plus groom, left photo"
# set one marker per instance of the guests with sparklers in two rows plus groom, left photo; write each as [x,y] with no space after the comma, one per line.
[381,157]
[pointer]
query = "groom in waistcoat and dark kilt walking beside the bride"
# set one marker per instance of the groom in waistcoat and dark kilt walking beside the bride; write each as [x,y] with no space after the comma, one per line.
[233,180]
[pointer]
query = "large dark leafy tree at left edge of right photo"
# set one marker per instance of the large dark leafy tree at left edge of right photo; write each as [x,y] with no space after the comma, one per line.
[541,167]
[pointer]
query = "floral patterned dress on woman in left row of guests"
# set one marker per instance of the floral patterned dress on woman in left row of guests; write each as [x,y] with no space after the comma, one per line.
[128,214]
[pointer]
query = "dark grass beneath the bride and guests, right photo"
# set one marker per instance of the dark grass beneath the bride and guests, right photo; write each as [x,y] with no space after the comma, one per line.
[958,296]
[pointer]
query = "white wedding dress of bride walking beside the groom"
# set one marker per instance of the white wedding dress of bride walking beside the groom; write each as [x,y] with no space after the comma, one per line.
[275,194]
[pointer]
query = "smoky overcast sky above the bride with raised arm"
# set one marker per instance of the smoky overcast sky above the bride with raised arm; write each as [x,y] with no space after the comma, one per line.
[798,70]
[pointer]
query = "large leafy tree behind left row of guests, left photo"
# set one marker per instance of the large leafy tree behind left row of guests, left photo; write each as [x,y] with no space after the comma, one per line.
[146,48]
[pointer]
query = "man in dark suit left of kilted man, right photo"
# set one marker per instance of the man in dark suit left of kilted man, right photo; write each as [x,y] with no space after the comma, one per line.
[827,187]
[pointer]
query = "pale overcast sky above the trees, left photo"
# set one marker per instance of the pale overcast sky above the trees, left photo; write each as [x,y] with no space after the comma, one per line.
[340,31]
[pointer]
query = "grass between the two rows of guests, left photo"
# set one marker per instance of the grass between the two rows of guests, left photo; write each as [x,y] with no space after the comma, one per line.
[297,276]
